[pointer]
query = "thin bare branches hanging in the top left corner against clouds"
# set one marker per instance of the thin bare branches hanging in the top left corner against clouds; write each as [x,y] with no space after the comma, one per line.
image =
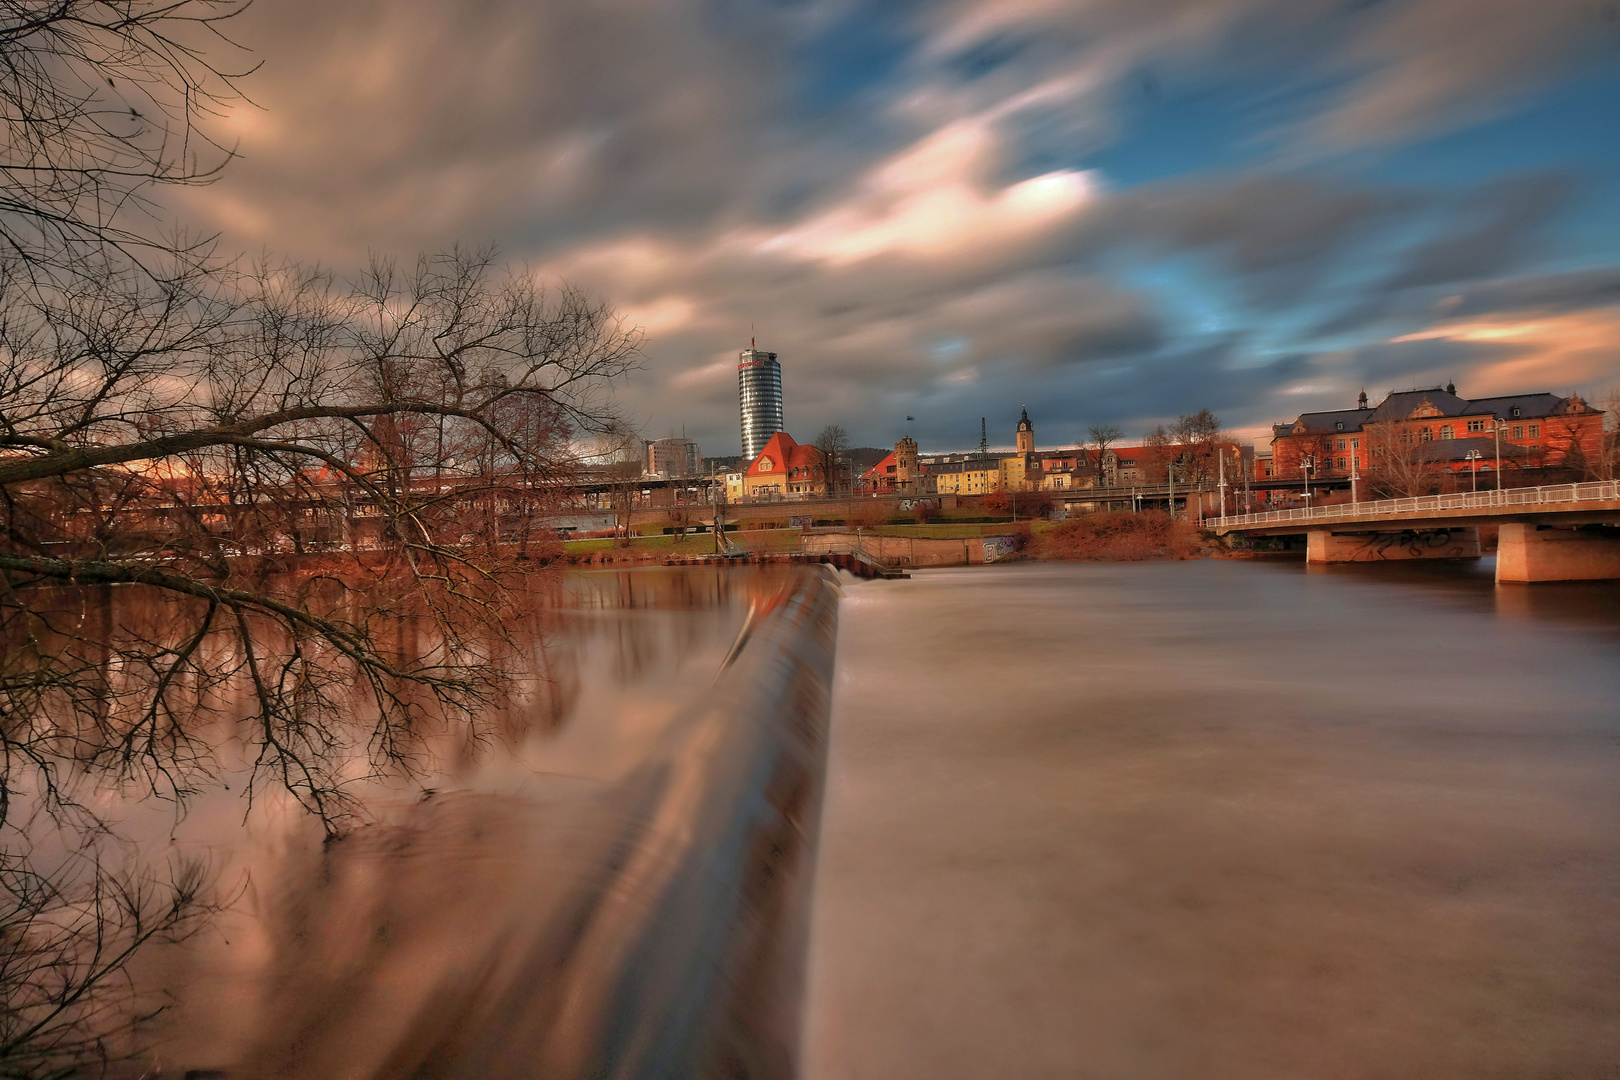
[101,101]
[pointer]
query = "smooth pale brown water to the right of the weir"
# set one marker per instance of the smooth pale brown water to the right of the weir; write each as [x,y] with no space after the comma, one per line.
[1221,820]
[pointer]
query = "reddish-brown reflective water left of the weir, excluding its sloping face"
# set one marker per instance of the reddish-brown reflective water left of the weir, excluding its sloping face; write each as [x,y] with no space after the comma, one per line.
[437,938]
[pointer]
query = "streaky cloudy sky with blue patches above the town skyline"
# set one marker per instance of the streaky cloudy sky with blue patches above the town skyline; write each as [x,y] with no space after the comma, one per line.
[1106,211]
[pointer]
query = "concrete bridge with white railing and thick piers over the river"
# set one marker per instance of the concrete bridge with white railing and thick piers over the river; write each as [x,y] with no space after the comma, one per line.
[1553,534]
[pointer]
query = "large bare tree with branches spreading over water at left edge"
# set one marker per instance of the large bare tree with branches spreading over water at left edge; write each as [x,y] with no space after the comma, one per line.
[320,491]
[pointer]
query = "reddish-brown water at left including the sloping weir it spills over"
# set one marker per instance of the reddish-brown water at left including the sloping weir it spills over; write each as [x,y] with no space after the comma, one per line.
[626,898]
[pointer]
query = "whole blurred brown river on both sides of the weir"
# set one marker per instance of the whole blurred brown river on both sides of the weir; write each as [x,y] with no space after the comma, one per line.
[1162,820]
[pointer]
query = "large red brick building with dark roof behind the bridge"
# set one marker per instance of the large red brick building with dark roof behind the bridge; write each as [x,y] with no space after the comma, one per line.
[1433,435]
